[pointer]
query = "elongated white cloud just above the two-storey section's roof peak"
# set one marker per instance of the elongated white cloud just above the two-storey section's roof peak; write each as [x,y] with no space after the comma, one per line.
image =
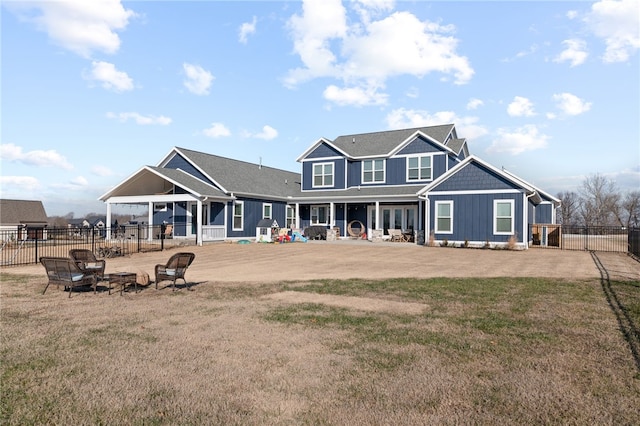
[467,127]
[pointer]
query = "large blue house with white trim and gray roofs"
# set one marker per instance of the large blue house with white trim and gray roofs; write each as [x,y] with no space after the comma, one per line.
[422,181]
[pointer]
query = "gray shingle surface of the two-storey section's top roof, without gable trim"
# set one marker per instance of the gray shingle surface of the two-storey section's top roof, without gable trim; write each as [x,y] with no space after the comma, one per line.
[382,143]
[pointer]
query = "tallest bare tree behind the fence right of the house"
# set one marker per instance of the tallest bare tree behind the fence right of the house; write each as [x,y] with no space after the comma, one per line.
[598,201]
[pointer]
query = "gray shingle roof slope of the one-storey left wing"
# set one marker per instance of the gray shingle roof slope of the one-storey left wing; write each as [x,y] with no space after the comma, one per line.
[240,177]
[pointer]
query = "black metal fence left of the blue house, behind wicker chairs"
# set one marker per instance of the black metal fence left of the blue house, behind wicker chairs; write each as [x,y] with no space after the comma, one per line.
[24,245]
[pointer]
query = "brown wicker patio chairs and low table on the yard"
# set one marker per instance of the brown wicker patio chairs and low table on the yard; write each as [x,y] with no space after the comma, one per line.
[82,268]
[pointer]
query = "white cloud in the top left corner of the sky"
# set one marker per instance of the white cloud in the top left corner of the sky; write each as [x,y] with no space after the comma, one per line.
[78,25]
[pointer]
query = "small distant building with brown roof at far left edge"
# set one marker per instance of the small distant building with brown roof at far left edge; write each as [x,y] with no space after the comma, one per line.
[27,219]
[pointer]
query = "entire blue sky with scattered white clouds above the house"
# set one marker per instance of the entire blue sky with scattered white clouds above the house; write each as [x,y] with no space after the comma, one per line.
[92,91]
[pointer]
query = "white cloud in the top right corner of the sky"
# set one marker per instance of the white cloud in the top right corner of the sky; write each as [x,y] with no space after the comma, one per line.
[618,24]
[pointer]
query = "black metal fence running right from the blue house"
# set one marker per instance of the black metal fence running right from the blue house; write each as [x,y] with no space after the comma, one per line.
[591,238]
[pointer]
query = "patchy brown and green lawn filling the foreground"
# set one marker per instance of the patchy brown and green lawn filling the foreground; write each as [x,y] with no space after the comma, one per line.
[479,351]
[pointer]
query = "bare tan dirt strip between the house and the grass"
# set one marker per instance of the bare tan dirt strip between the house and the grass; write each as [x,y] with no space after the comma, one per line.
[267,263]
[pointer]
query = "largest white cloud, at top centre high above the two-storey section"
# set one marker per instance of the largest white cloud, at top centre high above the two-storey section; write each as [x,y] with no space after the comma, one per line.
[365,53]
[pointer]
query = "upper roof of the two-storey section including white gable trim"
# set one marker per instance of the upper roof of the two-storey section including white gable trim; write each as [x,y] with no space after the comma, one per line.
[385,143]
